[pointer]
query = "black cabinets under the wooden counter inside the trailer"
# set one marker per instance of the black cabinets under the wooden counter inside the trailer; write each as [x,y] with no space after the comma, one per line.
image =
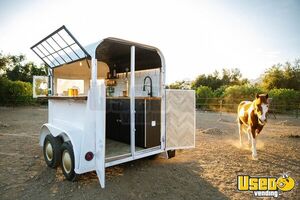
[147,121]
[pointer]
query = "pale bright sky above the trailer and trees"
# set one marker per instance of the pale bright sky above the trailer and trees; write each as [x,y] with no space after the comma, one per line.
[195,36]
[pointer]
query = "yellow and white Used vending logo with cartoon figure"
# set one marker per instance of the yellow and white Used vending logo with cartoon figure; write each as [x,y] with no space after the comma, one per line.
[265,186]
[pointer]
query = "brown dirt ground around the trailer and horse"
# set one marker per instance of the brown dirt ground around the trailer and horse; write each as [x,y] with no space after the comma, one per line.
[208,171]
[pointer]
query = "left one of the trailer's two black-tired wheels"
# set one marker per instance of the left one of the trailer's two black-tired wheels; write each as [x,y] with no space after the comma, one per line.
[51,151]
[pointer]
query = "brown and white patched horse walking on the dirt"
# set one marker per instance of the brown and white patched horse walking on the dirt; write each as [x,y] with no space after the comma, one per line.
[252,116]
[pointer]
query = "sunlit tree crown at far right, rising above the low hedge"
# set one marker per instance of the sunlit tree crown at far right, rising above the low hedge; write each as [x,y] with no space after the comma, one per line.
[282,76]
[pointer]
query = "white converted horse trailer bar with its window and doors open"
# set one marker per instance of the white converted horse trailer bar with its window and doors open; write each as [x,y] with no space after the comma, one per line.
[108,104]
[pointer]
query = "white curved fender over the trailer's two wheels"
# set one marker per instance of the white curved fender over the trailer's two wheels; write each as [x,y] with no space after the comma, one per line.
[75,138]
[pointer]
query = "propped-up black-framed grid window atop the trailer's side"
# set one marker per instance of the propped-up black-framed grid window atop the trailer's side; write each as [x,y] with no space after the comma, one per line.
[60,47]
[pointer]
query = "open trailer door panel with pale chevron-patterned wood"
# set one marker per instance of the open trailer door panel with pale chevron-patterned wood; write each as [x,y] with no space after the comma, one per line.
[180,119]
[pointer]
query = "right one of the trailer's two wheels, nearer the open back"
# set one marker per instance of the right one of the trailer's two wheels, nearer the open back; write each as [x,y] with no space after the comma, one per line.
[67,161]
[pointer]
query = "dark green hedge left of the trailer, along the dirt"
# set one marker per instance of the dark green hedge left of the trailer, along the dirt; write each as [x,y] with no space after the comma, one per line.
[15,92]
